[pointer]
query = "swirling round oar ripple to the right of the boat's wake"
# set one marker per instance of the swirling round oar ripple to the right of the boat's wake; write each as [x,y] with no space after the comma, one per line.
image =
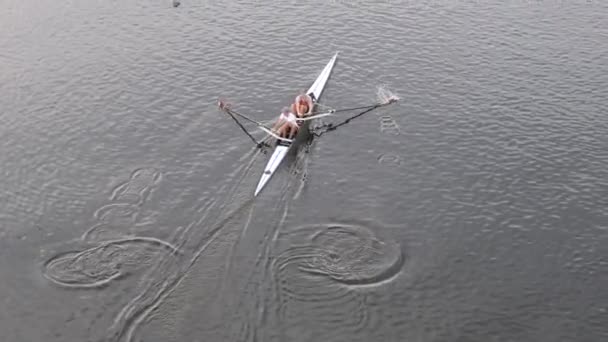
[317,278]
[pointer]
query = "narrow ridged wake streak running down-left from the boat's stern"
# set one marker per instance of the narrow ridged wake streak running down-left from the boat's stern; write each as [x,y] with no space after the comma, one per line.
[207,242]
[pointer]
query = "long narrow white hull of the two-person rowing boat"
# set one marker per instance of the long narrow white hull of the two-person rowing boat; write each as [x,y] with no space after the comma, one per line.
[283,146]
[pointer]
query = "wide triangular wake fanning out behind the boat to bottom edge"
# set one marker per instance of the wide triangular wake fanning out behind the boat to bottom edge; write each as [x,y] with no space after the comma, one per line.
[226,278]
